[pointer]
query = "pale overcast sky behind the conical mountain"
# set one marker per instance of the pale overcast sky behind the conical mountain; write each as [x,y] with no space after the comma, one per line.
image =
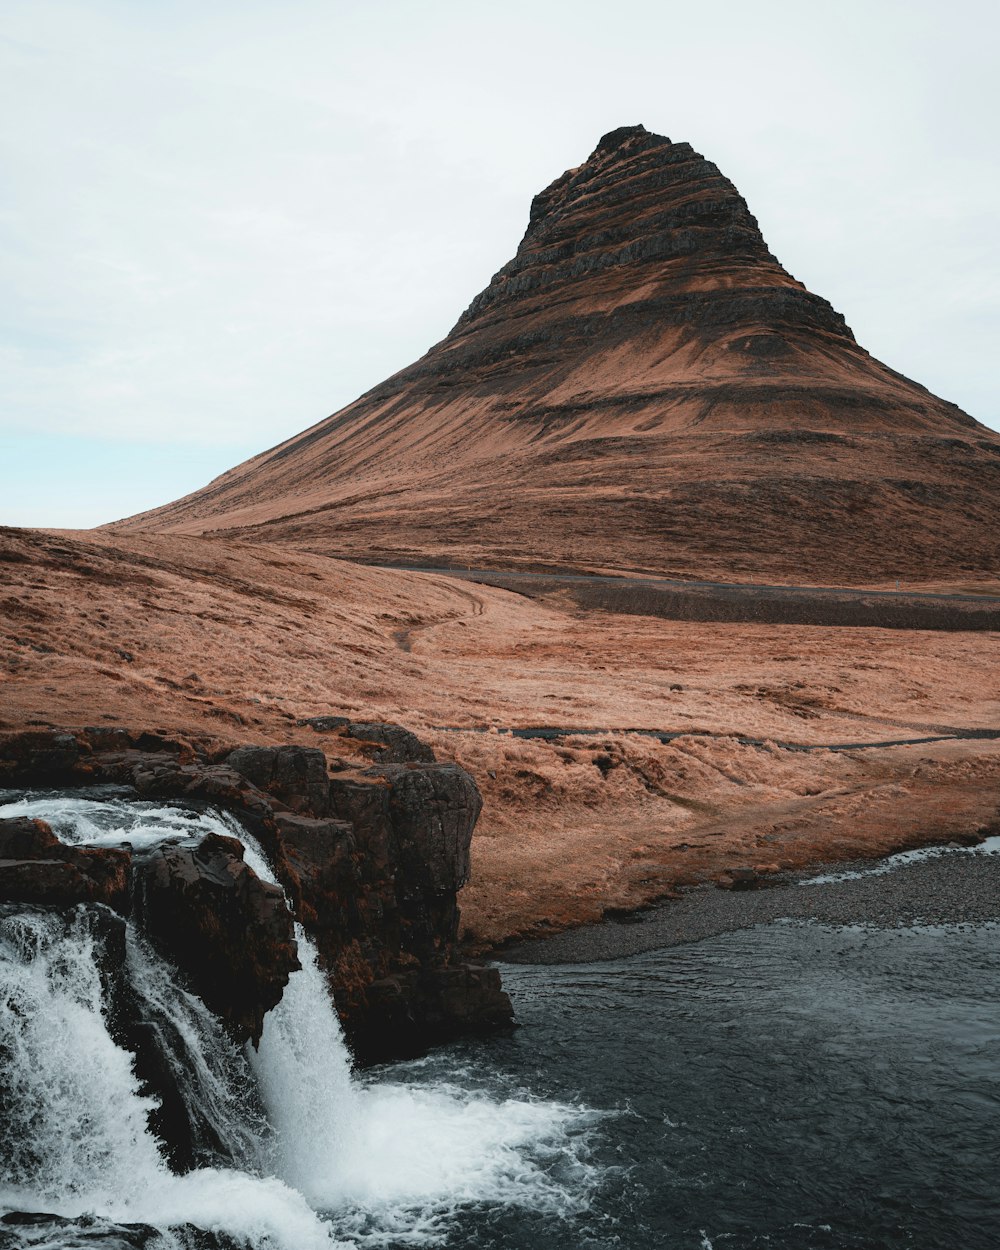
[221,222]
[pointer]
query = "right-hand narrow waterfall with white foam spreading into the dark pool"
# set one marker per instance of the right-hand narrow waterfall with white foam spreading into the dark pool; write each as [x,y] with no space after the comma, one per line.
[399,1159]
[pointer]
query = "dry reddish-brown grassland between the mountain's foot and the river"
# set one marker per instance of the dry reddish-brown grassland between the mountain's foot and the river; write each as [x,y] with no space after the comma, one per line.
[238,642]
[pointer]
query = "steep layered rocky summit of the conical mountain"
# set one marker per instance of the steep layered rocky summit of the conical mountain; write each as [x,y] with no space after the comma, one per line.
[647,224]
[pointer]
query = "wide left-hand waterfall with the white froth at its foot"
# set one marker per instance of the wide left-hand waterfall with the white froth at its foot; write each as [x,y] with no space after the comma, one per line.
[74,1138]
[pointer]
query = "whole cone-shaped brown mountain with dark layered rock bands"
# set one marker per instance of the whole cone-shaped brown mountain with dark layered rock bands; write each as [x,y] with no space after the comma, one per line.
[642,388]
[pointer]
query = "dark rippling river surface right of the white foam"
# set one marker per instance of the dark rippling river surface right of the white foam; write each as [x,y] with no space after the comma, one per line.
[791,1087]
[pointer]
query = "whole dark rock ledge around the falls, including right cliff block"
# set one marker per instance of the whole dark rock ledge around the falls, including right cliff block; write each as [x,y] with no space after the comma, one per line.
[372,861]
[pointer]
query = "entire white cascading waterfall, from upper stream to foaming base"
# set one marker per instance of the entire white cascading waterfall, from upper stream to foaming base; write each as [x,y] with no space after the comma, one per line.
[382,1161]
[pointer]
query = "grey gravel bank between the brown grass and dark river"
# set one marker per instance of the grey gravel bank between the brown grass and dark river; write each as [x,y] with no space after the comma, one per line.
[938,887]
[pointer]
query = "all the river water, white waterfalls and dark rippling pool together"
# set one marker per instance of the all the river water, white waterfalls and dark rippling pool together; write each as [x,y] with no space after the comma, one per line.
[793,1086]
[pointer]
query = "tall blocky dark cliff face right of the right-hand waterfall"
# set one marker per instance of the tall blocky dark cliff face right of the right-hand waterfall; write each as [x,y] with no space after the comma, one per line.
[378,889]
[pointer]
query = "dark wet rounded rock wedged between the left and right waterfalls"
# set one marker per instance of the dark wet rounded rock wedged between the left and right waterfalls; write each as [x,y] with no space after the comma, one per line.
[229,933]
